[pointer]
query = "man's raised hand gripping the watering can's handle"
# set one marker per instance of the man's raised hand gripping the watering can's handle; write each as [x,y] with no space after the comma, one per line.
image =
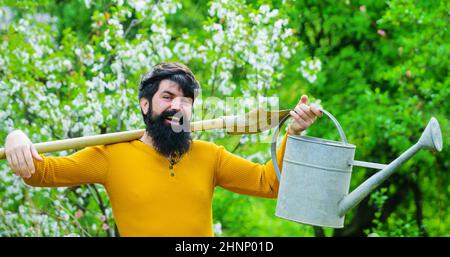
[303,116]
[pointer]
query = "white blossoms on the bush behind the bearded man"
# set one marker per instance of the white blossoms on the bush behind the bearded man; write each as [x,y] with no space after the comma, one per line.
[72,90]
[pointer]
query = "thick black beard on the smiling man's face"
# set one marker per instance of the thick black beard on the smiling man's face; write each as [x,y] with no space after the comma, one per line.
[165,140]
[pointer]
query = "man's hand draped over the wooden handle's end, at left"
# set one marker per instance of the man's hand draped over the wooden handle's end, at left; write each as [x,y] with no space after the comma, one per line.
[20,153]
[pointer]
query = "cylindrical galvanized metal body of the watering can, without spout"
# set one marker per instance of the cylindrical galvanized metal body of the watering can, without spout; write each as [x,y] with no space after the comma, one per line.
[310,166]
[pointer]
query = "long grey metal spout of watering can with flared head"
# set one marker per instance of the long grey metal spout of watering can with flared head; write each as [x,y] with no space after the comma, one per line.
[431,138]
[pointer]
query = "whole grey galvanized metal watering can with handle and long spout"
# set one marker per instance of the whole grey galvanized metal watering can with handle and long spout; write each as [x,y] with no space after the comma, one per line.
[315,183]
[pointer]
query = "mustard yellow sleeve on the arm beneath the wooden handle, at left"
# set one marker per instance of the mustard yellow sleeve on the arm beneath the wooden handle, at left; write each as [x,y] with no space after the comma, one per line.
[86,166]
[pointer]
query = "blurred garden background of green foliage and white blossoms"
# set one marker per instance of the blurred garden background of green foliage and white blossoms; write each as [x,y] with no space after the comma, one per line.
[72,68]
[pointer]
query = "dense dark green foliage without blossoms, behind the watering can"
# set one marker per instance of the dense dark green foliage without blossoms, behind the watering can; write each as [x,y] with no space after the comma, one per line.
[385,74]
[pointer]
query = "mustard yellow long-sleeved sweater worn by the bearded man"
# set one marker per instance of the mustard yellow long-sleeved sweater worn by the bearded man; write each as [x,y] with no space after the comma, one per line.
[146,199]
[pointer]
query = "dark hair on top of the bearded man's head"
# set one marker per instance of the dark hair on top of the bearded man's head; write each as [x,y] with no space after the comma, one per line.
[175,72]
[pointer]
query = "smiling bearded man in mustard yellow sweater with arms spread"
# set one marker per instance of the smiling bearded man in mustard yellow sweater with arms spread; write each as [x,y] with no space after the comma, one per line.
[163,183]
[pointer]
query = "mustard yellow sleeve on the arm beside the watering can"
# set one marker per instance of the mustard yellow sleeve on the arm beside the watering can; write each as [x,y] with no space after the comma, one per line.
[243,176]
